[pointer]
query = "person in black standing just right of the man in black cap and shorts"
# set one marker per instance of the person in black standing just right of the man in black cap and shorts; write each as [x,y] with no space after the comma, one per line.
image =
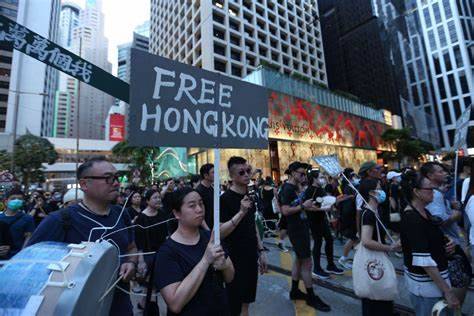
[319,227]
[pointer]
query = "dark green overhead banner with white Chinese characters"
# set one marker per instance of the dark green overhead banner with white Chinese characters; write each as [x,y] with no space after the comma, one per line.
[40,48]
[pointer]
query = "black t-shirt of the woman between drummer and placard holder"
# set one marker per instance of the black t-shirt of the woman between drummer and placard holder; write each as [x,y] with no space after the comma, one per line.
[151,239]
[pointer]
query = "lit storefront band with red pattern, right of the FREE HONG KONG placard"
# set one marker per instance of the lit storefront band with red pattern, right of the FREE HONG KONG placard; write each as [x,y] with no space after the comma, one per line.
[296,119]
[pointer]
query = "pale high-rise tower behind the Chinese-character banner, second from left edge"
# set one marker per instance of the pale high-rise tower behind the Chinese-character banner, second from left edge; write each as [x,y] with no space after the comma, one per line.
[32,83]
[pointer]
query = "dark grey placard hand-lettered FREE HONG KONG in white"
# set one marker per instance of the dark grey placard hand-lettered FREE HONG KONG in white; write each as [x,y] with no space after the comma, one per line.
[174,104]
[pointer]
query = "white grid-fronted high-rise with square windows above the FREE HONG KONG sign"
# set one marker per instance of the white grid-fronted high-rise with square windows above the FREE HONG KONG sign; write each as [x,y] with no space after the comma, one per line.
[235,37]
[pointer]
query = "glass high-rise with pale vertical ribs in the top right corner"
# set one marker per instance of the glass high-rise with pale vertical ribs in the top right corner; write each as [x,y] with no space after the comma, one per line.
[432,45]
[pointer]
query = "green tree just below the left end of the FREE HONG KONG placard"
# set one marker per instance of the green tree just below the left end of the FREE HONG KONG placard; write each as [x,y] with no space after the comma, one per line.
[141,158]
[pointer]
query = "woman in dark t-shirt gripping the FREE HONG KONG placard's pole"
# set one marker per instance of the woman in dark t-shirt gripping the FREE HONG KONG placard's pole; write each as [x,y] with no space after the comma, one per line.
[190,271]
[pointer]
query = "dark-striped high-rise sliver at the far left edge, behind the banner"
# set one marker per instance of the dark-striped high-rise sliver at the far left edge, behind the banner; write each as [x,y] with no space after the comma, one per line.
[8,8]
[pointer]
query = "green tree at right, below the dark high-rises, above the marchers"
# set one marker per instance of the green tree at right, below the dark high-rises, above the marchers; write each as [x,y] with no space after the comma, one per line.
[405,145]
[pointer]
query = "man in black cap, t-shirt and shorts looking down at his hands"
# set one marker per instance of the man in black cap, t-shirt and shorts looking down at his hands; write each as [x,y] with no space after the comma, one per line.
[294,207]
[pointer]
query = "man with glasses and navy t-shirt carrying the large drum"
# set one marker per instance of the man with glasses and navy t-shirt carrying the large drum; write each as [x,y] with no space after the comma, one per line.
[99,181]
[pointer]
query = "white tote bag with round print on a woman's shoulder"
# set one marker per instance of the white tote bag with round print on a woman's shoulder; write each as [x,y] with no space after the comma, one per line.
[373,274]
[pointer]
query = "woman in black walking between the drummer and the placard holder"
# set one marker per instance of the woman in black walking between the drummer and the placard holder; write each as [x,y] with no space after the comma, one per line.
[150,239]
